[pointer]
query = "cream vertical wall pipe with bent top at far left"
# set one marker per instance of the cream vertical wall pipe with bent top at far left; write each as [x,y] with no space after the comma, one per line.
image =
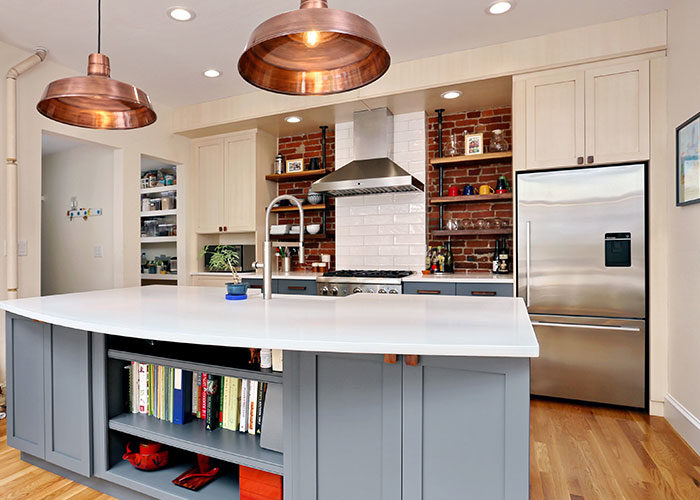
[11,165]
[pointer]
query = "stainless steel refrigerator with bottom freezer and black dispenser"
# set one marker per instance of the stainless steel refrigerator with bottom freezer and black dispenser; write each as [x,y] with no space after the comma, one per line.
[582,273]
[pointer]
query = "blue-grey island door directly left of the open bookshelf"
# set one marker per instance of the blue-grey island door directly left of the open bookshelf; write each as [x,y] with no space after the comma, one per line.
[67,399]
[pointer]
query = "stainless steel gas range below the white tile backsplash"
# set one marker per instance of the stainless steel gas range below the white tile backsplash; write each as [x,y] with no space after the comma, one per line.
[347,282]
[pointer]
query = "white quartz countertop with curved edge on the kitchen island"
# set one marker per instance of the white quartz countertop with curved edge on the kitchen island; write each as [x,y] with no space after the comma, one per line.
[379,324]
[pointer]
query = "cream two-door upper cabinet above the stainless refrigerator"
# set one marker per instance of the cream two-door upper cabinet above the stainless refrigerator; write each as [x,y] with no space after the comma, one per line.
[589,115]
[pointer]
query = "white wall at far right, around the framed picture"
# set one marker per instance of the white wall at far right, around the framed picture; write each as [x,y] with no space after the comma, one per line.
[683,230]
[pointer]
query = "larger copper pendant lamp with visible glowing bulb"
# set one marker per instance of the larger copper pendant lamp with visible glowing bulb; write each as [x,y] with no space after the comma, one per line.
[314,51]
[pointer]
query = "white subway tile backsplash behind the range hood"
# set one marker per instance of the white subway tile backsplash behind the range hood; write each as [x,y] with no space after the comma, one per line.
[384,231]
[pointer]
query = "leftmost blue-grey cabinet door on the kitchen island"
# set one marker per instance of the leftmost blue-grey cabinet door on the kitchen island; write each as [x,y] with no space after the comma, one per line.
[25,384]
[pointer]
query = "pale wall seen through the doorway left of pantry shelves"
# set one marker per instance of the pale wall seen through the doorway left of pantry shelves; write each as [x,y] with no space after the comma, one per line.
[68,262]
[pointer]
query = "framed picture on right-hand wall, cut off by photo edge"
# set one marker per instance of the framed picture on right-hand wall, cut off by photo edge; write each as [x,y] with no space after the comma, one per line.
[688,162]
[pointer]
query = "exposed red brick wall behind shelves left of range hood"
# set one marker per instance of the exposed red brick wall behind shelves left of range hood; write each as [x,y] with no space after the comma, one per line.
[308,146]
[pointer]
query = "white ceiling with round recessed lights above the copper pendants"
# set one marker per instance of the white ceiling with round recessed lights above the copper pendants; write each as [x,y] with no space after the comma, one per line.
[166,58]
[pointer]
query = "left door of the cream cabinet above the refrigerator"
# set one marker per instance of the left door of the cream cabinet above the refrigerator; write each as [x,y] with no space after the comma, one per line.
[555,120]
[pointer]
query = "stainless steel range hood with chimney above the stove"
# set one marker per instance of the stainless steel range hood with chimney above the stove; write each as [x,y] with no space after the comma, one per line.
[372,171]
